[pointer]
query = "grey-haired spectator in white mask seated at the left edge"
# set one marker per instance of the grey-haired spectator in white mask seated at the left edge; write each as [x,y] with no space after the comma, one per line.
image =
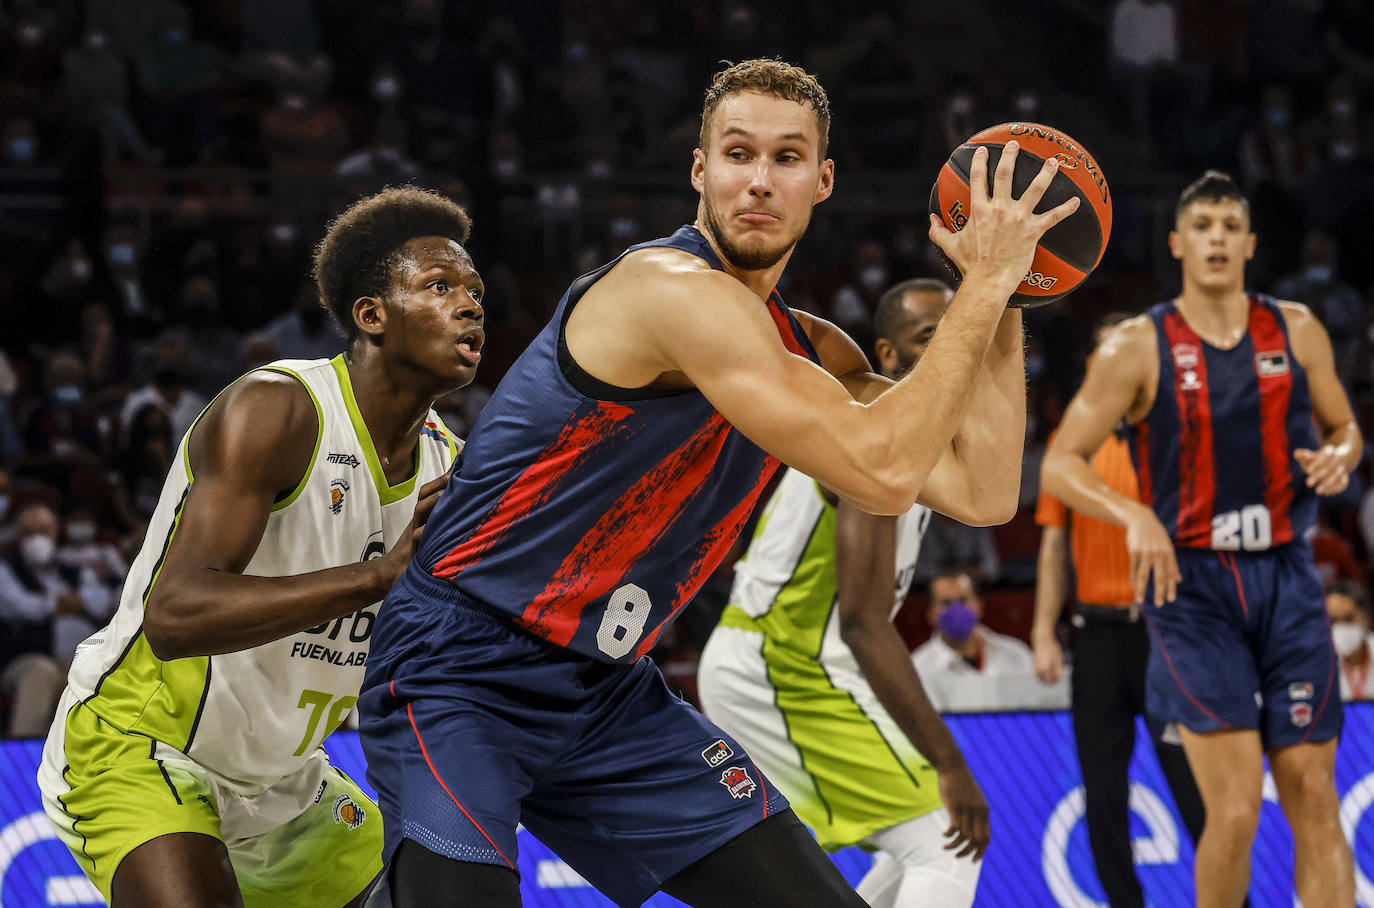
[46,608]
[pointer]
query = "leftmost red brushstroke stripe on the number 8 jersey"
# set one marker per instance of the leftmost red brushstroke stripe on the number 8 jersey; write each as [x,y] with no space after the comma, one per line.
[535,486]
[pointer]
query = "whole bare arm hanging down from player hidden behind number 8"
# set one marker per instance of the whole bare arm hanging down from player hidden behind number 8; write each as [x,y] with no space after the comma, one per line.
[865,558]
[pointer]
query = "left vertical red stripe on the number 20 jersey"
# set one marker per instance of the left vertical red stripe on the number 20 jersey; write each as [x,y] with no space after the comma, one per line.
[1197,468]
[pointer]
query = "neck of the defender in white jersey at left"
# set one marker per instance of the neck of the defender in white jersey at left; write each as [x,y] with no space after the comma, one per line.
[392,405]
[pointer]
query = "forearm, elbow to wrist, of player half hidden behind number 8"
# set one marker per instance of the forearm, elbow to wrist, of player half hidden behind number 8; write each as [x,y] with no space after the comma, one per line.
[887,666]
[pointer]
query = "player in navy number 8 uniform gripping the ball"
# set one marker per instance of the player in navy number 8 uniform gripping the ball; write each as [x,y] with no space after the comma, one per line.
[607,479]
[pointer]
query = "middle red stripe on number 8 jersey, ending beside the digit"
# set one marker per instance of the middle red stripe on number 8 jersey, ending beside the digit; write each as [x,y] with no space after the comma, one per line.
[630,527]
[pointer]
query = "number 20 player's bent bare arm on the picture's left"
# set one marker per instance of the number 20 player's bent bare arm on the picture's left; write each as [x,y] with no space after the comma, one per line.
[1114,389]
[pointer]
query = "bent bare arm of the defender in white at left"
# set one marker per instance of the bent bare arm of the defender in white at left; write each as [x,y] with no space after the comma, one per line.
[254,444]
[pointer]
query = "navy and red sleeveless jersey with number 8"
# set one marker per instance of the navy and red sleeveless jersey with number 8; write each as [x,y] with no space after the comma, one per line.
[587,514]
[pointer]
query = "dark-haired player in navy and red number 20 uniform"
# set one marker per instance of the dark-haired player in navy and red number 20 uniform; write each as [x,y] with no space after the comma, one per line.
[1239,422]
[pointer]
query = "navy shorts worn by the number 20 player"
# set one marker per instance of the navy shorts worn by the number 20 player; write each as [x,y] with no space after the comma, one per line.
[1246,645]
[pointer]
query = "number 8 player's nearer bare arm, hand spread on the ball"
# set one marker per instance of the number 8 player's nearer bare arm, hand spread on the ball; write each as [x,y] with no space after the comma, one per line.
[711,330]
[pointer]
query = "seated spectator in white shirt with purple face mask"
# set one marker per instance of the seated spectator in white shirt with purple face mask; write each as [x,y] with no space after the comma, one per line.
[962,655]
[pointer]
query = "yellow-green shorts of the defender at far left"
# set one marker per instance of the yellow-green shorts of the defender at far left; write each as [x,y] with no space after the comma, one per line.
[310,840]
